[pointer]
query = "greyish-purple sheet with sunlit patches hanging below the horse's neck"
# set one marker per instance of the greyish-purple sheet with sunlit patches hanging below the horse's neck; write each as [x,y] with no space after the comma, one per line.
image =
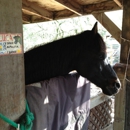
[62,103]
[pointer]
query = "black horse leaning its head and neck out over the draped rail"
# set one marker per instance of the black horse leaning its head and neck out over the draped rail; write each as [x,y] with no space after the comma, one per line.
[85,53]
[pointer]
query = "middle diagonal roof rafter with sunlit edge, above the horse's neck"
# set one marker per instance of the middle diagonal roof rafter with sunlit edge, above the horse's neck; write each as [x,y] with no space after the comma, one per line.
[72,6]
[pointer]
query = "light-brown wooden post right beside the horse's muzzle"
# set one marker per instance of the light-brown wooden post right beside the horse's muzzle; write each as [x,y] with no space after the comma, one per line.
[119,110]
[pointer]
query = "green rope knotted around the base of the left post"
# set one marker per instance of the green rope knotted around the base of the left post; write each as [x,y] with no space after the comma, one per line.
[25,121]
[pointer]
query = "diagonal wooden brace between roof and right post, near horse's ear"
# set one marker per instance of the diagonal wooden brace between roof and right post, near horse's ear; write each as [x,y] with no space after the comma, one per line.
[109,25]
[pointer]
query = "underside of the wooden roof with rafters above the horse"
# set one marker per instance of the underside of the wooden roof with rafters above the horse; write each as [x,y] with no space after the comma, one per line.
[46,10]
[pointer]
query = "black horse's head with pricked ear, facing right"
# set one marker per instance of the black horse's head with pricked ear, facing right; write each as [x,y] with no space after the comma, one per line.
[93,64]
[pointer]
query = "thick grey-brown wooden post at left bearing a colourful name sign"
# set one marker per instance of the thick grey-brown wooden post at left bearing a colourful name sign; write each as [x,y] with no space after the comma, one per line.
[12,88]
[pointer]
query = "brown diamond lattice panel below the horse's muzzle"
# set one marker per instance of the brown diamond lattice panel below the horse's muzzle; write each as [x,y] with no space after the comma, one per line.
[100,116]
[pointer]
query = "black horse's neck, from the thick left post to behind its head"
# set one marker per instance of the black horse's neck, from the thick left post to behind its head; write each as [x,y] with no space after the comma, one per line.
[54,59]
